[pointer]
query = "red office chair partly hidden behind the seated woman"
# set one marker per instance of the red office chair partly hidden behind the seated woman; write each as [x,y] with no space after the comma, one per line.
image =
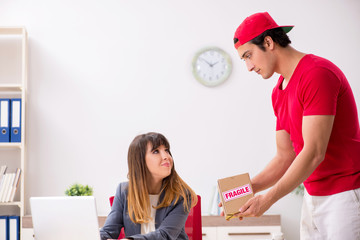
[193,227]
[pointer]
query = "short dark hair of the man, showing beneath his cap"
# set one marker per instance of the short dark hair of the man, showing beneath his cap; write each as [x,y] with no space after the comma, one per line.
[277,34]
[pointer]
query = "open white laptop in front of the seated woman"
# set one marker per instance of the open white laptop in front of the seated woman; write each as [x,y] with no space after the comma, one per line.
[60,218]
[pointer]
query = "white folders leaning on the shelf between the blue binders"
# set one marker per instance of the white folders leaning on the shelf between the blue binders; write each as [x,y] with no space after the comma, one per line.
[9,182]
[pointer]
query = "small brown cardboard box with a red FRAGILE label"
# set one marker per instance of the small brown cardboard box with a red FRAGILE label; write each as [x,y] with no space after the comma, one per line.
[234,192]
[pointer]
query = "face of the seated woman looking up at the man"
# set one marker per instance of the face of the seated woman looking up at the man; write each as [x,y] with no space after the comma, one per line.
[158,161]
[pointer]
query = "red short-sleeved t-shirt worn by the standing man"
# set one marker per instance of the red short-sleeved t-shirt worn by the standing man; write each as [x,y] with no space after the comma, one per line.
[318,87]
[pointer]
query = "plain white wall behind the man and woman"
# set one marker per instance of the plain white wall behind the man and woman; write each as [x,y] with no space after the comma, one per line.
[102,72]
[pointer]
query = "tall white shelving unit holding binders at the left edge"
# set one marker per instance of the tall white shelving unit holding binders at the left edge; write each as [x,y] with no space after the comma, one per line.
[13,84]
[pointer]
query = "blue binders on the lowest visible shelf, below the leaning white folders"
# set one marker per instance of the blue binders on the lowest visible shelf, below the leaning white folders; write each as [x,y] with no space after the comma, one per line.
[9,228]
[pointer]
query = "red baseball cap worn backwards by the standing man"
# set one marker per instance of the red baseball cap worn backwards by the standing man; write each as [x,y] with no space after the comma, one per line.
[254,25]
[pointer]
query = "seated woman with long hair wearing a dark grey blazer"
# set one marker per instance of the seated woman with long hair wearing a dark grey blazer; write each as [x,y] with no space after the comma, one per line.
[154,204]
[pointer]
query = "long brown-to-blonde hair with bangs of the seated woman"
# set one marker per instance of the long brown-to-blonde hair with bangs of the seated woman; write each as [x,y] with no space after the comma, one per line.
[173,186]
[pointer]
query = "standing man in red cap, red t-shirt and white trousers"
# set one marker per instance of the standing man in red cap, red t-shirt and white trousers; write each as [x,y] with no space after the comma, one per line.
[317,133]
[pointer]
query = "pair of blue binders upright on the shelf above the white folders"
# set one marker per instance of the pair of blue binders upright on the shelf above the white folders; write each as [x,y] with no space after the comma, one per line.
[10,120]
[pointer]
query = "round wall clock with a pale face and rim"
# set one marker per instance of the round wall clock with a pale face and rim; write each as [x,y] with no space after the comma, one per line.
[211,66]
